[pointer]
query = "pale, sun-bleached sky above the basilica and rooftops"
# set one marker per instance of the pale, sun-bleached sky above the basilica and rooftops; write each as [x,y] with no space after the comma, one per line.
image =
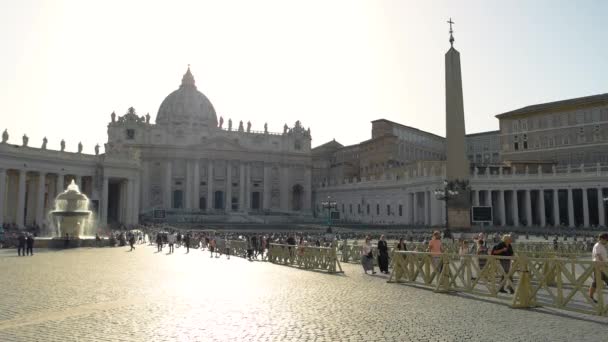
[334,65]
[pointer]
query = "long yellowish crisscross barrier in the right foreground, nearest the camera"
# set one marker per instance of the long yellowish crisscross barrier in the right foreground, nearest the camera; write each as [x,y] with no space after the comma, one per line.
[551,282]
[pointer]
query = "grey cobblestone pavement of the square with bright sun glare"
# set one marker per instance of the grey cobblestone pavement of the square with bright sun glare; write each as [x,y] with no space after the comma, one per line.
[110,294]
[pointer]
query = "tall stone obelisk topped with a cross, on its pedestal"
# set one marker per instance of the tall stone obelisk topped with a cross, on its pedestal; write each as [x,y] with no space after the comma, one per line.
[457,168]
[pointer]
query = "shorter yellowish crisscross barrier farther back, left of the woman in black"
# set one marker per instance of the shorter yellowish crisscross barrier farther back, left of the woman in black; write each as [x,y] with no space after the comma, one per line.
[306,257]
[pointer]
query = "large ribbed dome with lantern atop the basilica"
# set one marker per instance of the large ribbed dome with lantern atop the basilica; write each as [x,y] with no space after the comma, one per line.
[187,106]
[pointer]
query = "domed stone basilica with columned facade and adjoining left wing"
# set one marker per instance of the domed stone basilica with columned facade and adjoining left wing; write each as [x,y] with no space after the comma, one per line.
[188,166]
